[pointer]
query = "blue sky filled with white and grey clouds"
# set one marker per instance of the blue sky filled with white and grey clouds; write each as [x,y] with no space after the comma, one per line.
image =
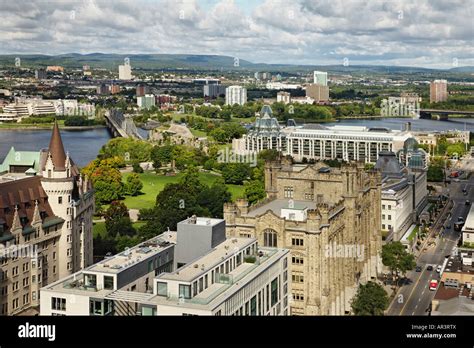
[427,33]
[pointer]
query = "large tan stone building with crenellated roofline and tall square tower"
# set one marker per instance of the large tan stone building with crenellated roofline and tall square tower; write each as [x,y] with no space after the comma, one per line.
[329,218]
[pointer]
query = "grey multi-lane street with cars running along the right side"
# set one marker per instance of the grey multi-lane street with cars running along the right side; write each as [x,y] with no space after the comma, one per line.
[415,298]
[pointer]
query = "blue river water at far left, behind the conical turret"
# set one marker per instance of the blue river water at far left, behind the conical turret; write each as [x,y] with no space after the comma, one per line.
[83,145]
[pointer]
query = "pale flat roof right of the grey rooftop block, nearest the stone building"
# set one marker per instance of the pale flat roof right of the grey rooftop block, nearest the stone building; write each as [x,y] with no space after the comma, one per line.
[204,264]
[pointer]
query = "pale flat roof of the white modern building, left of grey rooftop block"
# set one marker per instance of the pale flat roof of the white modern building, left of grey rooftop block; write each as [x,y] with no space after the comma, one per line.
[129,257]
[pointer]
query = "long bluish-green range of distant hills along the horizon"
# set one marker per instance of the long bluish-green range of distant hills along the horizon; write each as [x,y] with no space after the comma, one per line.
[205,62]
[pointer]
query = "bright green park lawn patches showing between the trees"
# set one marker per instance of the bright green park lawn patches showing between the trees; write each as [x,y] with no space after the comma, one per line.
[153,184]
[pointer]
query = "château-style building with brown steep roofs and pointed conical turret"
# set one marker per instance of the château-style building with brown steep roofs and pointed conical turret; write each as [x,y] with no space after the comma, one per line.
[46,210]
